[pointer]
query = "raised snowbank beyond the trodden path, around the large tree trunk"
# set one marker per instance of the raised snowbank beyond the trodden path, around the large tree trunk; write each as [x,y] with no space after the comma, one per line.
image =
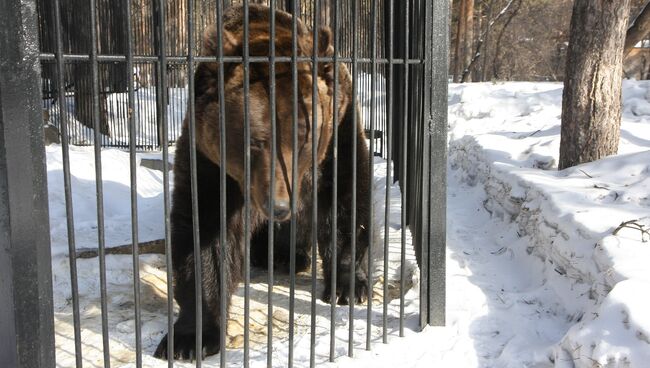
[506,137]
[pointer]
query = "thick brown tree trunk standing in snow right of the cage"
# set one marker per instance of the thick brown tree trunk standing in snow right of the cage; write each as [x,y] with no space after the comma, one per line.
[591,104]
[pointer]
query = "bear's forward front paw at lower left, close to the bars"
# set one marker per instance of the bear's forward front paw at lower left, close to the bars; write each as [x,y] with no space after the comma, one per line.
[185,346]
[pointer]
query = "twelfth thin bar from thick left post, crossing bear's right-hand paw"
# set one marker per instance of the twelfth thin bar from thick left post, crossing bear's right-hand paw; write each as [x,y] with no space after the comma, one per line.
[353,227]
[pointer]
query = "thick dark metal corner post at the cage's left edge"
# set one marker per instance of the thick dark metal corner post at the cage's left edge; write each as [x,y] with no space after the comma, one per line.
[26,311]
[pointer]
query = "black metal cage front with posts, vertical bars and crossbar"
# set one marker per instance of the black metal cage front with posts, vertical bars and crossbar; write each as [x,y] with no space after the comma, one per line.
[23,192]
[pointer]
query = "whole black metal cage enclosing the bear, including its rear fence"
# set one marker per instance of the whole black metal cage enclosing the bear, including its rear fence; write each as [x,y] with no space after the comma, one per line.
[91,53]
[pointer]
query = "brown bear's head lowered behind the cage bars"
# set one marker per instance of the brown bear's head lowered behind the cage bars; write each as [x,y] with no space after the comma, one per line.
[308,123]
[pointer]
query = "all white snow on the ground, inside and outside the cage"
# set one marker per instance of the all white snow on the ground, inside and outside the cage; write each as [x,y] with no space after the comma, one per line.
[536,276]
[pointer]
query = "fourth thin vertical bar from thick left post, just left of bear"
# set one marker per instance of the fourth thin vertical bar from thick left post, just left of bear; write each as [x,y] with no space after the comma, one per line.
[163,123]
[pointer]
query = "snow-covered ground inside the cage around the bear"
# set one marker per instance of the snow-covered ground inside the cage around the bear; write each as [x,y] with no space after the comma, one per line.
[121,314]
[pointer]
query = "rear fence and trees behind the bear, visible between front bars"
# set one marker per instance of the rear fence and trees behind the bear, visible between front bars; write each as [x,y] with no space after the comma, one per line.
[144,15]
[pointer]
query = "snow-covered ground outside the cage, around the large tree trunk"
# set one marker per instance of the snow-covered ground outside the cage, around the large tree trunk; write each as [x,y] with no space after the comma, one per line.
[535,275]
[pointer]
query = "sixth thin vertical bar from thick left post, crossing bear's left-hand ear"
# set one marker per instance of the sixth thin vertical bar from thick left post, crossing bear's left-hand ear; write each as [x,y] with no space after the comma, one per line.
[223,316]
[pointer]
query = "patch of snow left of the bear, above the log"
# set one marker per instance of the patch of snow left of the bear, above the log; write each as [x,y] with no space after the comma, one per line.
[117,195]
